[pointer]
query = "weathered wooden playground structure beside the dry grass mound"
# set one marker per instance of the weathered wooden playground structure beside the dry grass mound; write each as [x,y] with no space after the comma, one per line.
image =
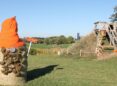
[105,31]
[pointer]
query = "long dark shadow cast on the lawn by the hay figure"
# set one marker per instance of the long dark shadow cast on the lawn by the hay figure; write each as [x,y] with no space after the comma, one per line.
[36,73]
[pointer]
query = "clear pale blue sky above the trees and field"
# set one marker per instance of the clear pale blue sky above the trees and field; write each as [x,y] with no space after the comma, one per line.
[44,18]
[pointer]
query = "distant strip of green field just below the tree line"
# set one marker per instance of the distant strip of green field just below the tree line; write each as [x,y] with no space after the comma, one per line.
[49,46]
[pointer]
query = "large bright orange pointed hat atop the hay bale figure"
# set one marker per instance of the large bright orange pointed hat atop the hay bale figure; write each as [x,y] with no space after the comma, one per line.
[8,35]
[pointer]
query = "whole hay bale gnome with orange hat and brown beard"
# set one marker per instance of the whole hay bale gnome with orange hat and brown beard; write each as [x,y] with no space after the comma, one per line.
[13,55]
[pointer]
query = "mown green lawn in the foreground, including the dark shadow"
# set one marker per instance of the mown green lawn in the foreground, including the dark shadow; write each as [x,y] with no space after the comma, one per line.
[50,70]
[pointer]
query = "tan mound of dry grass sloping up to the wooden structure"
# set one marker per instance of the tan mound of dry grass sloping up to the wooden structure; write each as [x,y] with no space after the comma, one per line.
[87,43]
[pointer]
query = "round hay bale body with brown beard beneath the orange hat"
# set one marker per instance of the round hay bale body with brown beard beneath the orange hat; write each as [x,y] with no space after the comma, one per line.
[13,66]
